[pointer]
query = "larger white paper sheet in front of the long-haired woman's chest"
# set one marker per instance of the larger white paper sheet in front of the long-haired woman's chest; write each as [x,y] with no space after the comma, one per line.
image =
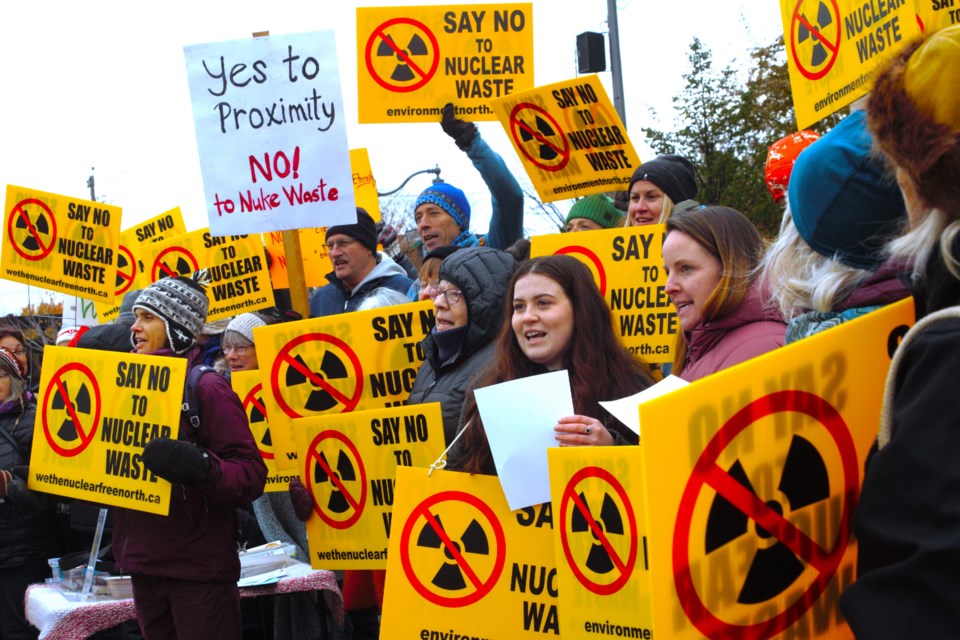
[519,417]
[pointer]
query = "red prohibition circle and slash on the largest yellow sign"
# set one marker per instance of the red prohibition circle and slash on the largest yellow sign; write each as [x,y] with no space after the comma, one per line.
[778,567]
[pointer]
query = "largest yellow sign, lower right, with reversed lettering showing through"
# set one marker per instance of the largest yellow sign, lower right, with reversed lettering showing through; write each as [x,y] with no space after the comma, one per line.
[757,470]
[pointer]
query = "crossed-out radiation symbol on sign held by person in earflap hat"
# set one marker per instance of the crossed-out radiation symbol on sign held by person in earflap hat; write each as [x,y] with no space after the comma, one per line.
[71,409]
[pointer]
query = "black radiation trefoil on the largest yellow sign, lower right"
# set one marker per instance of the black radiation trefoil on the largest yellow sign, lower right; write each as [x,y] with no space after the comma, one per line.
[804,482]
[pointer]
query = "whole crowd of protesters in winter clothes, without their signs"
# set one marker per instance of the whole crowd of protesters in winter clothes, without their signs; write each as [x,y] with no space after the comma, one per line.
[870,217]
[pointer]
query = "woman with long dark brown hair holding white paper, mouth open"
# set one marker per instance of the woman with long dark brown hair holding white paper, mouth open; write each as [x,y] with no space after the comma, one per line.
[558,320]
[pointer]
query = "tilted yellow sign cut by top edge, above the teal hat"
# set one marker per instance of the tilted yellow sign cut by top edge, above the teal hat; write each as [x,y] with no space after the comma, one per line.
[834,47]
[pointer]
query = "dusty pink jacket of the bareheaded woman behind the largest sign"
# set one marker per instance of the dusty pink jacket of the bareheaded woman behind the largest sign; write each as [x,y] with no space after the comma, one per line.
[751,330]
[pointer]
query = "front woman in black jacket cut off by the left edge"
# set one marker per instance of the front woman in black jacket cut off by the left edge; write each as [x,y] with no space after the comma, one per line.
[28,531]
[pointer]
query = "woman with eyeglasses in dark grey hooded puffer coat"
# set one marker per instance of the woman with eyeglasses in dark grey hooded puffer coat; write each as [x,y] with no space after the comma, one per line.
[468,308]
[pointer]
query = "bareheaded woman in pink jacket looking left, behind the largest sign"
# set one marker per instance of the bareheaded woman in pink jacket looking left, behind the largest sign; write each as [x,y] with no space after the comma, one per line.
[711,257]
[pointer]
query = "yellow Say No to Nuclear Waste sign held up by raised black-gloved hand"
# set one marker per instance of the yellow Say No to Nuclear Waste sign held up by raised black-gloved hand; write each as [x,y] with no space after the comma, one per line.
[413,60]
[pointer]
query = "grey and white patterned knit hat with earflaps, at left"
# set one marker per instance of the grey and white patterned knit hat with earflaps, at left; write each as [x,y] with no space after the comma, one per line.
[181,302]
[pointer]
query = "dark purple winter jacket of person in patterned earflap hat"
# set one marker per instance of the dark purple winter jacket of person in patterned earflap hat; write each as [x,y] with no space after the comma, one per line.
[197,540]
